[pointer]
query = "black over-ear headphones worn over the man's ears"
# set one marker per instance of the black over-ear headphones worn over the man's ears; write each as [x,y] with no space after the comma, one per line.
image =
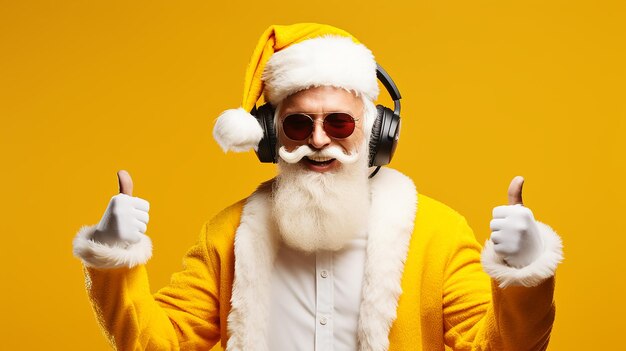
[383,139]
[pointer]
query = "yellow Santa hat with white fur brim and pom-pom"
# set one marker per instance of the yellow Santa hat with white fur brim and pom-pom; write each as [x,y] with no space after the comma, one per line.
[291,58]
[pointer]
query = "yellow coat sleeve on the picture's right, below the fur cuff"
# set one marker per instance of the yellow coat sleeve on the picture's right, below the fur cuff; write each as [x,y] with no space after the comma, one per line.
[478,315]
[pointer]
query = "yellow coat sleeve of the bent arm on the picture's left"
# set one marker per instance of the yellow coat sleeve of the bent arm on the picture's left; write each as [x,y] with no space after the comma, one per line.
[184,315]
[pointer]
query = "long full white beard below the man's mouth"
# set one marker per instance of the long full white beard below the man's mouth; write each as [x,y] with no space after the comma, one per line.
[321,211]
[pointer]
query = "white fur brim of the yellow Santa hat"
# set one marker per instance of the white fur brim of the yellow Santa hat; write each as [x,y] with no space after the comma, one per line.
[328,60]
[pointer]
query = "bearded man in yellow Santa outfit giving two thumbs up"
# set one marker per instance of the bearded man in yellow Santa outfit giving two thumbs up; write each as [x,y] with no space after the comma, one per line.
[323,257]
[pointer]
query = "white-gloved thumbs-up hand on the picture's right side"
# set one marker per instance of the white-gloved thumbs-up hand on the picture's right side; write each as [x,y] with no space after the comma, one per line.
[515,235]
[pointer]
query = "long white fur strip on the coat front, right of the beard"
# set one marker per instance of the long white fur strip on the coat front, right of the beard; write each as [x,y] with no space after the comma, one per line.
[394,205]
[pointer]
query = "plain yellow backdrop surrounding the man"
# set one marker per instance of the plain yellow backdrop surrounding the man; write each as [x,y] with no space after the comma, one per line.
[491,89]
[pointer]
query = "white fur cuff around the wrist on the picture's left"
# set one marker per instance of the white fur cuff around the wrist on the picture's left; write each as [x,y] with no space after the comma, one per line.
[98,255]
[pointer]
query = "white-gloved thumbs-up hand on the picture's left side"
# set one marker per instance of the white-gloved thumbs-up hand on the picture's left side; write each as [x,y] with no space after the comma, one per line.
[126,218]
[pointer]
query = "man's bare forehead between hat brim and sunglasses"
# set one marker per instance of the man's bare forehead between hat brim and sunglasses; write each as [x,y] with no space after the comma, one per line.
[321,99]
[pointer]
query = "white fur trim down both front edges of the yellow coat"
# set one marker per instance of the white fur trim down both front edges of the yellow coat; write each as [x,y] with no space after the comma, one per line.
[394,204]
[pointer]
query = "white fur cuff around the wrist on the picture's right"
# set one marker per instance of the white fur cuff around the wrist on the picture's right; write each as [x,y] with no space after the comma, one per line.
[533,274]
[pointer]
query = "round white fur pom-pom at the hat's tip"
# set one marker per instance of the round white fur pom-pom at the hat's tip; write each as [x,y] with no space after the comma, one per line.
[237,130]
